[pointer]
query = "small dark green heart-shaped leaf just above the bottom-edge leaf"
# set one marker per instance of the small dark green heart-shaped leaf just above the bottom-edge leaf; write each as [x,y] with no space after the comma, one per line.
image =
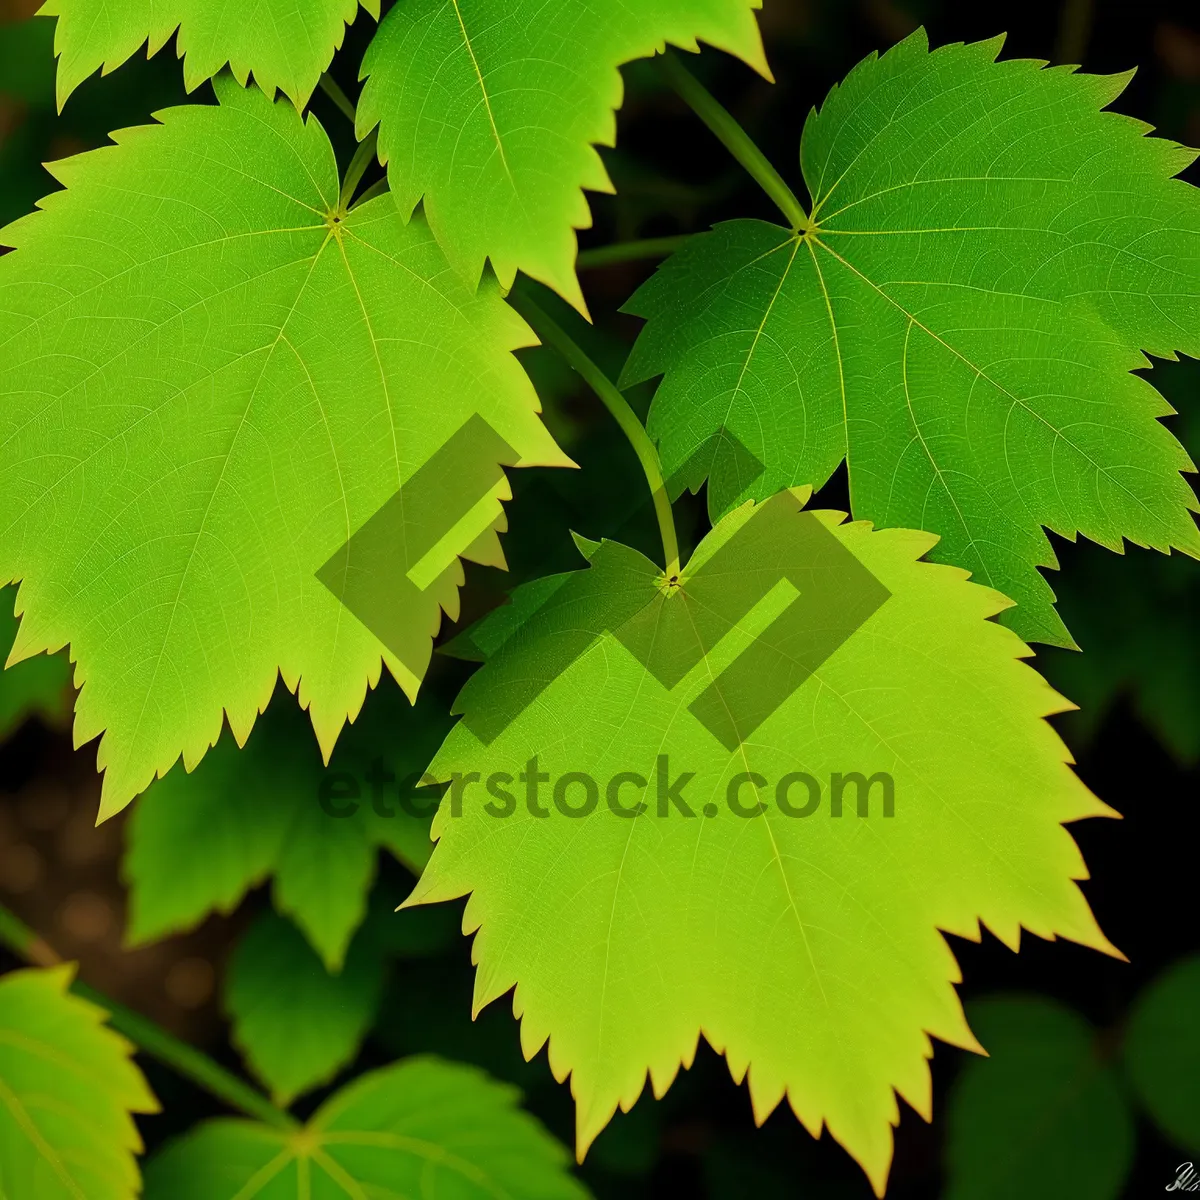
[297,1024]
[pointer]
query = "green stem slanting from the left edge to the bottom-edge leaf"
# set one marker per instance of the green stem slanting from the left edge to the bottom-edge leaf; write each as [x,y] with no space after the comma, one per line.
[148,1037]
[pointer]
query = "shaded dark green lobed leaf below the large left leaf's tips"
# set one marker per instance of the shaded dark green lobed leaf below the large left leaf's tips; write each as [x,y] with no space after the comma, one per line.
[197,843]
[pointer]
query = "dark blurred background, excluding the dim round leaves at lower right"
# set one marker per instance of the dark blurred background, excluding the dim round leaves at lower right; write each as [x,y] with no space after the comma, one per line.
[1137,740]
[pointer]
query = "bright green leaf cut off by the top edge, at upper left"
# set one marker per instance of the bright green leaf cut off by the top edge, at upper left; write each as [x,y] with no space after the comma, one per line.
[286,46]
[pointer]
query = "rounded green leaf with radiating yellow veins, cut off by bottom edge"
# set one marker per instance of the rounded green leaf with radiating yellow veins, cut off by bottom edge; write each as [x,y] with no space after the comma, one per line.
[422,1127]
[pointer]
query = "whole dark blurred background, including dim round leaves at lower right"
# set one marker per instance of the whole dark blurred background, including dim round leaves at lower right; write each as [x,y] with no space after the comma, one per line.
[1065,1107]
